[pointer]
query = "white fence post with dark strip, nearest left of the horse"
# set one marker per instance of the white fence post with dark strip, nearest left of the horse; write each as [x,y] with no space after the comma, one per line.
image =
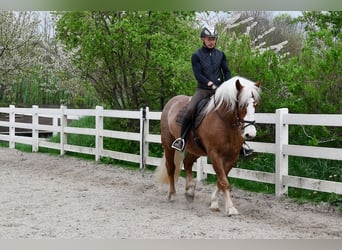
[144,130]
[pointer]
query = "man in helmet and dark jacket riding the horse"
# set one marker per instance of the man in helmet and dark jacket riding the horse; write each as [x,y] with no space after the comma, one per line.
[210,68]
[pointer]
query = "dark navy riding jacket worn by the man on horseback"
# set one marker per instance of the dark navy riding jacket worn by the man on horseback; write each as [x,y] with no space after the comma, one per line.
[210,65]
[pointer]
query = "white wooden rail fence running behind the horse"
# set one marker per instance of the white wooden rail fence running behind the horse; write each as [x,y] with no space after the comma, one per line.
[282,119]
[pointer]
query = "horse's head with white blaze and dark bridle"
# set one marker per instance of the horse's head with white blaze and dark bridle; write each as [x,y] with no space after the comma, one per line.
[247,98]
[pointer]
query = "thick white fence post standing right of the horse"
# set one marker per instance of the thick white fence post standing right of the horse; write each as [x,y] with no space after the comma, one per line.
[281,160]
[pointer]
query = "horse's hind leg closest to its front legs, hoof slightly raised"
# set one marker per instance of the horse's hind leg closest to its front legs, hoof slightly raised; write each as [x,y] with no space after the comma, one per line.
[190,184]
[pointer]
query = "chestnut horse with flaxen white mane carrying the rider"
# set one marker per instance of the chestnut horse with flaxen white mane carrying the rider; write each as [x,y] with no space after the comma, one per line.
[228,121]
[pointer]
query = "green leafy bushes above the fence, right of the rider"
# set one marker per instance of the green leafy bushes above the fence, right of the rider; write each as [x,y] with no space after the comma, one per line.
[308,82]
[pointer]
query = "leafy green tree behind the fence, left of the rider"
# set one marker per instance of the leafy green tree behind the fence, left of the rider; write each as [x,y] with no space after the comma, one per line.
[132,58]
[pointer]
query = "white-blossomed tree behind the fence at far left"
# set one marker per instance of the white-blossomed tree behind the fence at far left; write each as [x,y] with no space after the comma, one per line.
[34,67]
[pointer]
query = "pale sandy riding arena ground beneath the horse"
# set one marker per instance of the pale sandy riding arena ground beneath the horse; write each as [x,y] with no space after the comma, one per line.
[46,197]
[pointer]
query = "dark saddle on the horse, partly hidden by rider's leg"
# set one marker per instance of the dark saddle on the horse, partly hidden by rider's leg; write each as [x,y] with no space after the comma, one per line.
[197,119]
